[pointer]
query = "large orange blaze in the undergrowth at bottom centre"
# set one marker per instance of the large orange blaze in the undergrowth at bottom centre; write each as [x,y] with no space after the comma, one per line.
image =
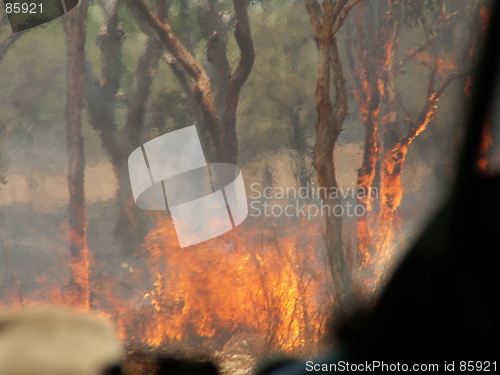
[247,280]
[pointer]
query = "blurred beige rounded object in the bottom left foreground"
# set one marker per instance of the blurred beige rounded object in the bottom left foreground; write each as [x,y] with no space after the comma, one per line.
[56,342]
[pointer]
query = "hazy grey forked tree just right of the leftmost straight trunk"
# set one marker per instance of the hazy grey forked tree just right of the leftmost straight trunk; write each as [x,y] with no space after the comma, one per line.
[101,94]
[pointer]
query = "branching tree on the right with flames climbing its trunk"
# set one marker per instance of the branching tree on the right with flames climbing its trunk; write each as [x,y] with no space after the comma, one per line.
[376,59]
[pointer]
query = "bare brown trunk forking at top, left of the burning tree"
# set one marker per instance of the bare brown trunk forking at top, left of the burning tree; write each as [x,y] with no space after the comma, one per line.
[325,22]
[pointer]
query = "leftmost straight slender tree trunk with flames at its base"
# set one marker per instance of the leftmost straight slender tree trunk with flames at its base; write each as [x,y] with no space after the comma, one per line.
[78,291]
